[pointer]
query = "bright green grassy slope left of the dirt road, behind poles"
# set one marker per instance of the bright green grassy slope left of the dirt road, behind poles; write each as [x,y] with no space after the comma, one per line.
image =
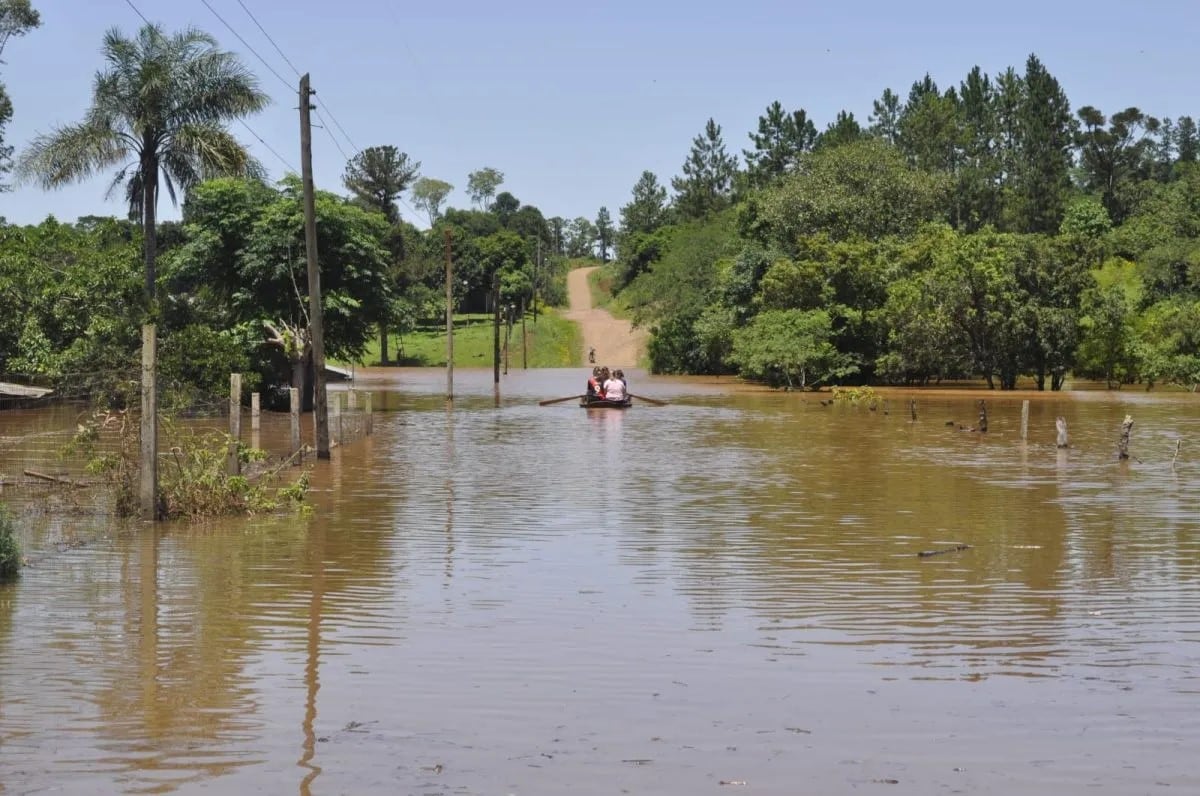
[553,343]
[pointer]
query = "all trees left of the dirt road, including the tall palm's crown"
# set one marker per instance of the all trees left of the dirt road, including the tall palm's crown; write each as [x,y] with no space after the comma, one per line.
[227,286]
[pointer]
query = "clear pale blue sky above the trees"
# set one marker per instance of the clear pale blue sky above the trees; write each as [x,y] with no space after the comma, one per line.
[573,101]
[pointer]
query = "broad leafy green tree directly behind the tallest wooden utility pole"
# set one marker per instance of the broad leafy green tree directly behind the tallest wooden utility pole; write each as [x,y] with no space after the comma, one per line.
[243,265]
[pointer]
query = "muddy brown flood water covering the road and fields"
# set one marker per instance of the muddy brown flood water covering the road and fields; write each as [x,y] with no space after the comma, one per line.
[718,596]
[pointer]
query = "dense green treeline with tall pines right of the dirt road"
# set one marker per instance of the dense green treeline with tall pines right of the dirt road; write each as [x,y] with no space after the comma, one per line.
[981,231]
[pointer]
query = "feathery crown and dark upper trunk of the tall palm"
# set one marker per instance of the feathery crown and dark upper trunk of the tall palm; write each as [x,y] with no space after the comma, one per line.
[158,112]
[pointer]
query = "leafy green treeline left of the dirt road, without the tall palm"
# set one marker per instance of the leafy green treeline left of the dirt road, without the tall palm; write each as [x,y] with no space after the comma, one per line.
[232,276]
